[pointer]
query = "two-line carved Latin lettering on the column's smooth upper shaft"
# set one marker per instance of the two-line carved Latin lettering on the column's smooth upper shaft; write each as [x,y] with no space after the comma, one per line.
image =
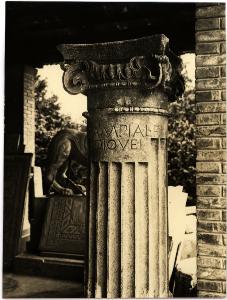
[124,137]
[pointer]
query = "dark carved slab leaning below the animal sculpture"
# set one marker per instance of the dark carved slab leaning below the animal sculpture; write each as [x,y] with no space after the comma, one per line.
[64,226]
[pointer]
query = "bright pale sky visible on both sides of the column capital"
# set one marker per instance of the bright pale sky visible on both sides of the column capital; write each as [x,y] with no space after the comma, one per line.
[75,105]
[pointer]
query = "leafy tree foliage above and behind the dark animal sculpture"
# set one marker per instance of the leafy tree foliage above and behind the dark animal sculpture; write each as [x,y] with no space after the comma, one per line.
[48,120]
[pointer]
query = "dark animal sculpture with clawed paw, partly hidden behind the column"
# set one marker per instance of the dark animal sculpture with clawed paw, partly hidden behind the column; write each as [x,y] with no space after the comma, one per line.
[66,146]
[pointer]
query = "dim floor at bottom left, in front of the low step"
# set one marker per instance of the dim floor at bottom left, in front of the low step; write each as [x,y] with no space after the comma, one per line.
[23,286]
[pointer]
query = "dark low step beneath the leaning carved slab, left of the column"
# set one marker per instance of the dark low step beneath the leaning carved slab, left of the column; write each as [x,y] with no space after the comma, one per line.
[54,267]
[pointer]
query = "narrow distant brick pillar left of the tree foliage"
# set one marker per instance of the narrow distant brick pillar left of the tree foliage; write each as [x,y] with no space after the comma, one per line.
[29,110]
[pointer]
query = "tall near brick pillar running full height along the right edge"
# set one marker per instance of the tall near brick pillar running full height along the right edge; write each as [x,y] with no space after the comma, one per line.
[211,145]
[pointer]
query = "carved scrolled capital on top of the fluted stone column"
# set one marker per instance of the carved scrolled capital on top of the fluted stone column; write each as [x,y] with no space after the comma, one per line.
[146,63]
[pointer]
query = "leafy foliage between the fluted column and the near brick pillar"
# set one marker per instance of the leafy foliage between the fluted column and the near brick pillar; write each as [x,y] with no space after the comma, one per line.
[181,143]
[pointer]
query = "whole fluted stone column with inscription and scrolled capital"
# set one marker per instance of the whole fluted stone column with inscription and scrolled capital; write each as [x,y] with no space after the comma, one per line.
[128,85]
